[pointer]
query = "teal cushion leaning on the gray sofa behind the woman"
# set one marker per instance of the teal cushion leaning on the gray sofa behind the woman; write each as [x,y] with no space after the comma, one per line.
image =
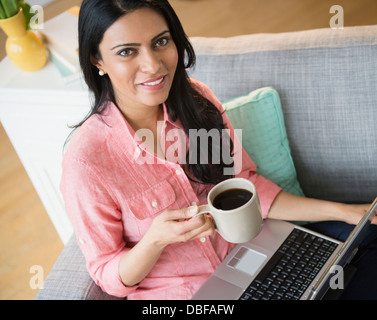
[264,137]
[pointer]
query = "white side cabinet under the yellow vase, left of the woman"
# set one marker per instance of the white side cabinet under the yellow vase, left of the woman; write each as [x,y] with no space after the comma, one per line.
[36,110]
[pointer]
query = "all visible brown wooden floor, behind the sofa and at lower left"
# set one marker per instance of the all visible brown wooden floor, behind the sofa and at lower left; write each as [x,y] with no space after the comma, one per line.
[27,237]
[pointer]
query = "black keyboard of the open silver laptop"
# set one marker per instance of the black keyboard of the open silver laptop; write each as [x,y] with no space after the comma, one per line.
[291,269]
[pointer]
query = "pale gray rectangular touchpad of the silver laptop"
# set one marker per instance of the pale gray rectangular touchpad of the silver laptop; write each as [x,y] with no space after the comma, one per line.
[247,260]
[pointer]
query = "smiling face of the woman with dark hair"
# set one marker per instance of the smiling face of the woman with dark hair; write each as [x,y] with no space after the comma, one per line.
[140,58]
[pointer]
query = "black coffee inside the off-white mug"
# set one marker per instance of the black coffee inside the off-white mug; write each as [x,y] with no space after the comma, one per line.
[232,199]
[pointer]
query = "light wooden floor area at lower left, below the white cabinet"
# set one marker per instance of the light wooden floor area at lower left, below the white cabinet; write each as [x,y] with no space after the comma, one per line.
[27,237]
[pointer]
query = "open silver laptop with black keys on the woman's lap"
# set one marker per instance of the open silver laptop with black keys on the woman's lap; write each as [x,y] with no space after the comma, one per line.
[285,261]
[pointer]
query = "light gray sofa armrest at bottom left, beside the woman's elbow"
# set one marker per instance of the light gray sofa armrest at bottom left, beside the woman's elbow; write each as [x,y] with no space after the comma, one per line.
[69,279]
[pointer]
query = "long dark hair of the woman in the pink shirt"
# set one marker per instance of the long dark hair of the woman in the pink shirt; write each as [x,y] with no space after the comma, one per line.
[183,103]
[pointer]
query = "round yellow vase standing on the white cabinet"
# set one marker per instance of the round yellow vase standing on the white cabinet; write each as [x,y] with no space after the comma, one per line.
[23,47]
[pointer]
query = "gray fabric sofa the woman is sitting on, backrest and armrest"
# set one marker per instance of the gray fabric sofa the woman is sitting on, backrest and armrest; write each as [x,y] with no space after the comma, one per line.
[327,82]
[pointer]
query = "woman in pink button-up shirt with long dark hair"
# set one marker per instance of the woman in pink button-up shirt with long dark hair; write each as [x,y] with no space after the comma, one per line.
[132,216]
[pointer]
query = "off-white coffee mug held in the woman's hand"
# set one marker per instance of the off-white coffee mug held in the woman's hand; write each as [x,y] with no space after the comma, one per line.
[240,224]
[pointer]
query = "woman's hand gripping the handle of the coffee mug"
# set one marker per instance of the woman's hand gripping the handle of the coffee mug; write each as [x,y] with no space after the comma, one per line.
[177,226]
